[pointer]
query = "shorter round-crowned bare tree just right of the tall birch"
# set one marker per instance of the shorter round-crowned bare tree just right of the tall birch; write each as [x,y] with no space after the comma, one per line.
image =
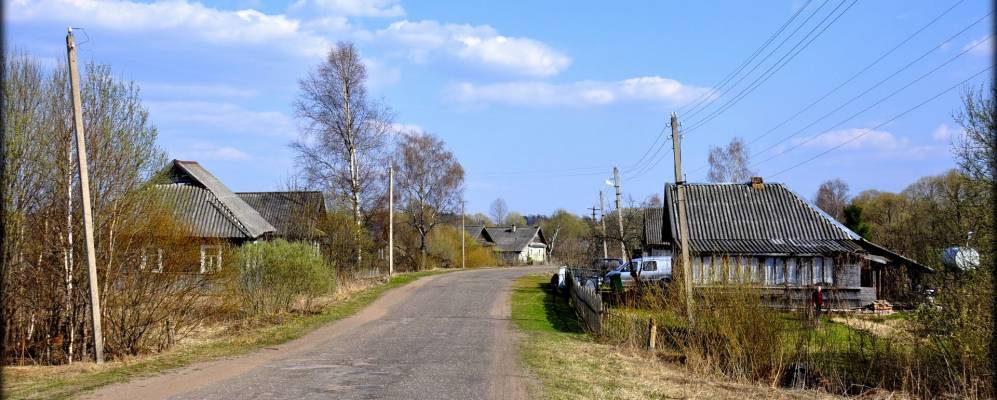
[430,181]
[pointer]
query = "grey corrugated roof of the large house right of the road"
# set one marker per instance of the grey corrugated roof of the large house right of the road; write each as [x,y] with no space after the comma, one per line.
[737,218]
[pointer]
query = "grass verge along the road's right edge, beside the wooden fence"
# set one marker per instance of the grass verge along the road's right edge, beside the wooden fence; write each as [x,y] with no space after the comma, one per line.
[569,364]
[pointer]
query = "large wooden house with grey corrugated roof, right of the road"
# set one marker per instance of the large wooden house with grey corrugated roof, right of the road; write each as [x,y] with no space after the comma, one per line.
[767,236]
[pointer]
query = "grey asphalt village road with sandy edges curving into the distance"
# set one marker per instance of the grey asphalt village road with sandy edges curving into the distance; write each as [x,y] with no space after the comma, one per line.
[441,337]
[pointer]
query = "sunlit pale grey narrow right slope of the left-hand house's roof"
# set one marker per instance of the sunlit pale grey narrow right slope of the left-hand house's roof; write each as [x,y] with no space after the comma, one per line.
[254,224]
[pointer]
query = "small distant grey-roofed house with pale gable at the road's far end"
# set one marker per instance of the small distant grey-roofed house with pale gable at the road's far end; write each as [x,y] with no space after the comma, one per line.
[513,244]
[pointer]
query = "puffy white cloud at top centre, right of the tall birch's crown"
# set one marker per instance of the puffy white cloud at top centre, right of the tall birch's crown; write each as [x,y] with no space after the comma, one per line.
[481,45]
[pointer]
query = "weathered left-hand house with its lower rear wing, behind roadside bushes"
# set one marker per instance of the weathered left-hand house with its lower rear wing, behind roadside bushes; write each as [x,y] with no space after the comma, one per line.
[216,217]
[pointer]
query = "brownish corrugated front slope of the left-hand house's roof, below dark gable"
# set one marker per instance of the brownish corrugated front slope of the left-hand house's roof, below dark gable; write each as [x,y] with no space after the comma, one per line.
[201,212]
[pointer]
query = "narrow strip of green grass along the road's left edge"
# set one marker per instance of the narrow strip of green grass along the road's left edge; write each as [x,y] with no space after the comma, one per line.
[67,385]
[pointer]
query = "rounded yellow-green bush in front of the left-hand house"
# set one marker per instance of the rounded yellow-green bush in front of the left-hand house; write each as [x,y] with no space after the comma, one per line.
[272,276]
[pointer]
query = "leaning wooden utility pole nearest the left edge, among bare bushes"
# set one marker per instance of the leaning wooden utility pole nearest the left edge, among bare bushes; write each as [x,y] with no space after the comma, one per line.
[81,156]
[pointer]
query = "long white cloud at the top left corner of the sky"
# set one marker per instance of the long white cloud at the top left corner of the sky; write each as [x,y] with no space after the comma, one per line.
[180,17]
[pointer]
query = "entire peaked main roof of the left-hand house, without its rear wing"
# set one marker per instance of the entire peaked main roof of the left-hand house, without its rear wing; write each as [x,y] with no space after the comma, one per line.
[207,206]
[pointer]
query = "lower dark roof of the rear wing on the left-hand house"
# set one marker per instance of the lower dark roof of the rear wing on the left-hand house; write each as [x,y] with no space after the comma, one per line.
[295,214]
